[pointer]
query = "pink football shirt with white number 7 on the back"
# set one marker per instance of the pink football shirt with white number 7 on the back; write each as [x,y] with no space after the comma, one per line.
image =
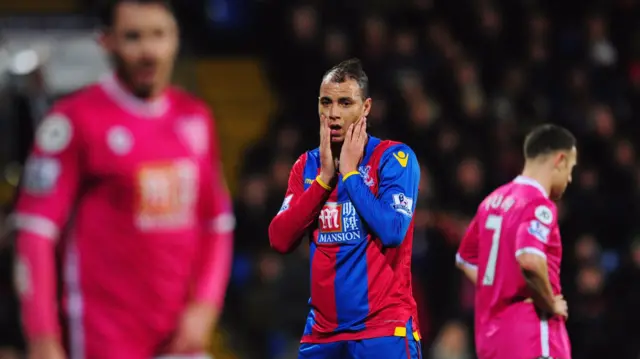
[516,218]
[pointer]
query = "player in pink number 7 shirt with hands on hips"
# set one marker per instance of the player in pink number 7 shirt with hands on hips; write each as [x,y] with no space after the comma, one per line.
[512,252]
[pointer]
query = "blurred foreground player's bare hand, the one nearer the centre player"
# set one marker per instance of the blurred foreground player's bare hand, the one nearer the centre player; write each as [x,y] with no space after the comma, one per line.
[194,329]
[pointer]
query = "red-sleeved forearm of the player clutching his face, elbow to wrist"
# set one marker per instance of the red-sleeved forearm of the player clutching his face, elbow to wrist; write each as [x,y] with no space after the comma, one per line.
[288,227]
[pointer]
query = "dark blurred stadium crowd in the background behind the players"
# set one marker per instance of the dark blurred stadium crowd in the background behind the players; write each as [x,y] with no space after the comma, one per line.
[460,82]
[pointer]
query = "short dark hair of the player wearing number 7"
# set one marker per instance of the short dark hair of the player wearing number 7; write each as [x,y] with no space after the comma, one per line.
[546,139]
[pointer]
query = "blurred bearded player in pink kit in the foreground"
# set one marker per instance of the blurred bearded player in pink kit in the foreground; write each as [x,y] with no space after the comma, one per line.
[125,178]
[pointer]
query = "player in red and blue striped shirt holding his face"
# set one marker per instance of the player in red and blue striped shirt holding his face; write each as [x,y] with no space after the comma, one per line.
[354,198]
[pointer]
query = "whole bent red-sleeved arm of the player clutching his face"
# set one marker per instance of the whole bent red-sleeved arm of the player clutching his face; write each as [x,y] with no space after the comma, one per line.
[299,209]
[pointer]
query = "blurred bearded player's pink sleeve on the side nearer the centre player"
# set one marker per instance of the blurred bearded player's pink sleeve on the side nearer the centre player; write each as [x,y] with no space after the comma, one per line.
[214,267]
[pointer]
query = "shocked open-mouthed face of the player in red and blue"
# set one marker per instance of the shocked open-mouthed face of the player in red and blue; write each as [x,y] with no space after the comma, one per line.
[342,104]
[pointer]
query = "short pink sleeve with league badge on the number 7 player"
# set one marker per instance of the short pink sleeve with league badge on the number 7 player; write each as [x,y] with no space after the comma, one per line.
[537,222]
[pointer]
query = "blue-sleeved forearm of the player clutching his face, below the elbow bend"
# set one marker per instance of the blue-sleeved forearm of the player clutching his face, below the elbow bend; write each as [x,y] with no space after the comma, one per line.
[388,224]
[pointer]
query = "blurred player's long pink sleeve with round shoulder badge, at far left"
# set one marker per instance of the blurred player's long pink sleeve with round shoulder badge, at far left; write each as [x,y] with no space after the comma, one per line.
[48,191]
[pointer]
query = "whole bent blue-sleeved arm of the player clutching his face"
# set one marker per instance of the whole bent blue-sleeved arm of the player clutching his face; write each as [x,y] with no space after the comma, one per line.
[390,213]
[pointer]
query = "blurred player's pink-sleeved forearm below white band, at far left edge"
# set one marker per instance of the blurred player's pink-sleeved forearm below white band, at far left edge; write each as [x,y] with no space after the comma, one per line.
[36,284]
